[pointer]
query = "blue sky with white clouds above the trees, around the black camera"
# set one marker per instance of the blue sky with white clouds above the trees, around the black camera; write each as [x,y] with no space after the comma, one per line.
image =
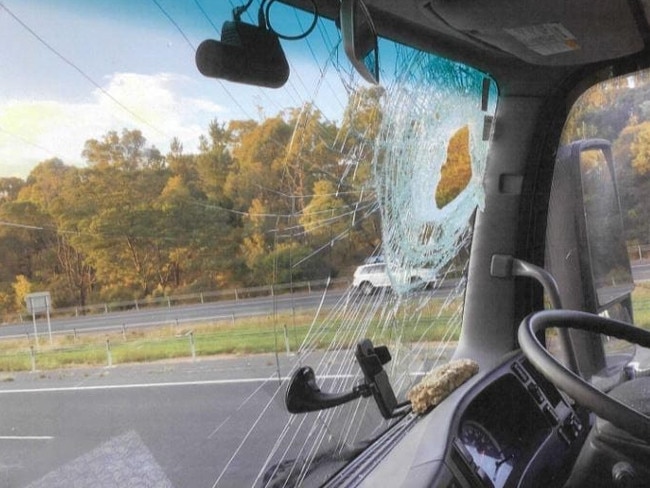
[76,69]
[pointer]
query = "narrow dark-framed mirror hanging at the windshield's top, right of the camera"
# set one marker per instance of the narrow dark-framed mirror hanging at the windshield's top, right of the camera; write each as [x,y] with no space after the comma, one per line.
[360,39]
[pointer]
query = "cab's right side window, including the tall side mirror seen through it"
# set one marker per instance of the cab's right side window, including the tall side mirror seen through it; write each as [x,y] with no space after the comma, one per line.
[598,229]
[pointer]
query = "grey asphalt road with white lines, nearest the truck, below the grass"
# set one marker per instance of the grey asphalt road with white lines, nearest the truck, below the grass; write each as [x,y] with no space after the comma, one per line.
[157,425]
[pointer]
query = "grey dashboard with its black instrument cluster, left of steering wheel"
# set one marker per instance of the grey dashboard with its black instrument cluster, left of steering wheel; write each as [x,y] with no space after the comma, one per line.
[505,428]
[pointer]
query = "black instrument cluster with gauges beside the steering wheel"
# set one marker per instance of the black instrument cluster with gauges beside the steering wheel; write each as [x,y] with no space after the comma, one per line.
[517,430]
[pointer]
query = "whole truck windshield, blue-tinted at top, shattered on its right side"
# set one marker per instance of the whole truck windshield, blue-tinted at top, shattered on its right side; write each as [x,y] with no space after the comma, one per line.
[175,247]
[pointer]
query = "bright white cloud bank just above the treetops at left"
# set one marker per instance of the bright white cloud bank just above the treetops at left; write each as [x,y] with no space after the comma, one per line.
[162,106]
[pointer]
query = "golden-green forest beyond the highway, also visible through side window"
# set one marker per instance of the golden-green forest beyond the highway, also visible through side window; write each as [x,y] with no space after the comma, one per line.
[285,199]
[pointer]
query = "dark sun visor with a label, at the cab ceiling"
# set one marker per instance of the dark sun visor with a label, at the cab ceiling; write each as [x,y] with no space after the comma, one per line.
[560,32]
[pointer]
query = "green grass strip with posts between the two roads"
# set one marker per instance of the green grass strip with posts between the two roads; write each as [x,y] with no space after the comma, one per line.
[277,333]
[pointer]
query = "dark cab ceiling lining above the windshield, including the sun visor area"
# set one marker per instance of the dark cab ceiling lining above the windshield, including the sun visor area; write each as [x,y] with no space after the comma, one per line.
[529,46]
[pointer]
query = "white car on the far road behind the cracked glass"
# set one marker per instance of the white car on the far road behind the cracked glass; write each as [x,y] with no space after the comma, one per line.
[369,277]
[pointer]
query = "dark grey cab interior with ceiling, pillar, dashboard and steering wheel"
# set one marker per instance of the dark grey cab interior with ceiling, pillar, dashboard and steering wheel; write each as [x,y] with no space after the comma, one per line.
[526,257]
